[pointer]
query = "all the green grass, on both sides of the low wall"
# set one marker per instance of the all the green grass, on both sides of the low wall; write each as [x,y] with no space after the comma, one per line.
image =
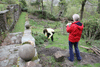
[60,40]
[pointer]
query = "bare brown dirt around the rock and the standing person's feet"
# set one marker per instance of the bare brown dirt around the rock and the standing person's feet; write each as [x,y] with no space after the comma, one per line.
[46,56]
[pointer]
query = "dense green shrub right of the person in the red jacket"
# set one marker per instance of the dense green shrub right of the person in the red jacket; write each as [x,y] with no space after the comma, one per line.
[91,29]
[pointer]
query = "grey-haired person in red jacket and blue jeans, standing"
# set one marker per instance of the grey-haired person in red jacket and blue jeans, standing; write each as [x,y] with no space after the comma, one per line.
[75,30]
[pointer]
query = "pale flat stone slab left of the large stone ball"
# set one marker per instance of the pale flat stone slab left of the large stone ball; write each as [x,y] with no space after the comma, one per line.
[8,55]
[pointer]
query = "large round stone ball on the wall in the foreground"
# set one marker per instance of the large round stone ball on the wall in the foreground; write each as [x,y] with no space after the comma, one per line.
[26,52]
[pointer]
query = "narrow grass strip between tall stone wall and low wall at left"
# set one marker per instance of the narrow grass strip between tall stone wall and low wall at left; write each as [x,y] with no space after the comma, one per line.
[20,25]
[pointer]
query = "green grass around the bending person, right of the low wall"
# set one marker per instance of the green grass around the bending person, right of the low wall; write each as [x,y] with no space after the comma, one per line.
[60,40]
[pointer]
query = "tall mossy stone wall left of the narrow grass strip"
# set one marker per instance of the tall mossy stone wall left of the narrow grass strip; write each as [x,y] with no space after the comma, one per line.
[9,17]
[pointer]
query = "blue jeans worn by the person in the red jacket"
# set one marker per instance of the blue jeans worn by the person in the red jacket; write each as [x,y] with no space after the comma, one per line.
[71,57]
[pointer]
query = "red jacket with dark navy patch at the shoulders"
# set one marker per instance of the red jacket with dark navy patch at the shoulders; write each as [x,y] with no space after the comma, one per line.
[75,31]
